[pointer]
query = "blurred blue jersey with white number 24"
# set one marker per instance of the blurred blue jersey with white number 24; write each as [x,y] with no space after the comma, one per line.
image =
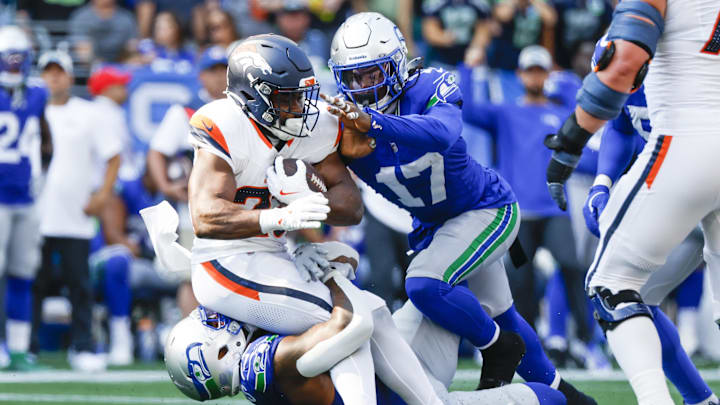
[19,124]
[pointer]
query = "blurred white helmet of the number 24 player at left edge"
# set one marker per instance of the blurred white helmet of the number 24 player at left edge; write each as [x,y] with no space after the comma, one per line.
[15,56]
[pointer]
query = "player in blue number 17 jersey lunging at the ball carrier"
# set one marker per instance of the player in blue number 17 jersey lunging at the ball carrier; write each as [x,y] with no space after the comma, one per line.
[401,136]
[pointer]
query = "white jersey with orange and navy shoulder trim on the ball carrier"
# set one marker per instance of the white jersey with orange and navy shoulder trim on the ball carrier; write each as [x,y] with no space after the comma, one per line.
[221,128]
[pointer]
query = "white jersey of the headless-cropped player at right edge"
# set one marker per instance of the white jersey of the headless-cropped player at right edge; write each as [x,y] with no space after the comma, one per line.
[683,84]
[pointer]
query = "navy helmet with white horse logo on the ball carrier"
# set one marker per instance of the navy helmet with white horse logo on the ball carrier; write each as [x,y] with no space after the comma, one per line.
[273,81]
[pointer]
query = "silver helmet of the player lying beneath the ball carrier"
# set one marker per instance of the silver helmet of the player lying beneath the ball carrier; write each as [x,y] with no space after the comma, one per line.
[202,355]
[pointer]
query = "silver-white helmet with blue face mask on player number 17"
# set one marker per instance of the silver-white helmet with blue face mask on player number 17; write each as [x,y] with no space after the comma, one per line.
[369,60]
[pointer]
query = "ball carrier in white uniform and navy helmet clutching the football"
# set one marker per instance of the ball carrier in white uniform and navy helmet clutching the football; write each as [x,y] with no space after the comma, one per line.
[240,266]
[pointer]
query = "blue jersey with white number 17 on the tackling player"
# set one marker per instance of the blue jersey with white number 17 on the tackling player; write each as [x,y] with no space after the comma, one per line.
[421,162]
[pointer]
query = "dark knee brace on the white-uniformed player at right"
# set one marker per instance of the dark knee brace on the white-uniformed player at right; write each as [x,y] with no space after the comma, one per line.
[612,309]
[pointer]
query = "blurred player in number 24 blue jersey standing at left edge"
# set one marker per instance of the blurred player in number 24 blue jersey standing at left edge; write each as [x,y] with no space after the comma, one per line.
[22,123]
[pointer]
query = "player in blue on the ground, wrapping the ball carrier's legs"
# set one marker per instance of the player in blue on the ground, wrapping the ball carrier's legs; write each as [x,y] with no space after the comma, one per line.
[209,356]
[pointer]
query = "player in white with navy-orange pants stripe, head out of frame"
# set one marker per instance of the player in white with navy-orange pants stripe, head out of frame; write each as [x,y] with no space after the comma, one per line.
[675,182]
